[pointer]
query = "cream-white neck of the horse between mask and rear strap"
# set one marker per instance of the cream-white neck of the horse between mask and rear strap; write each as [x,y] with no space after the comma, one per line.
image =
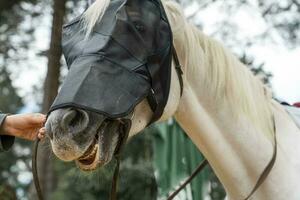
[229,141]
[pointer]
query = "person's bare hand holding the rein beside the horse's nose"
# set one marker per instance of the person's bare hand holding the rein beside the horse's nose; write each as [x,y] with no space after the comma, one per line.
[25,126]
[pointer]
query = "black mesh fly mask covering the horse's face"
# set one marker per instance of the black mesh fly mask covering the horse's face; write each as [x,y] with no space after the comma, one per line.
[126,58]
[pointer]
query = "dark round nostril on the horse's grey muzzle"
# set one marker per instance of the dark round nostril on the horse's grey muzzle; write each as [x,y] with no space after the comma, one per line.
[75,120]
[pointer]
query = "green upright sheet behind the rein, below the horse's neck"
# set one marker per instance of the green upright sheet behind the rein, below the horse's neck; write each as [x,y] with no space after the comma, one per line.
[175,157]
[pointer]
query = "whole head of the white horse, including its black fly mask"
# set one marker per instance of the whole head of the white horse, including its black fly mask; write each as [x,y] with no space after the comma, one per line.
[119,55]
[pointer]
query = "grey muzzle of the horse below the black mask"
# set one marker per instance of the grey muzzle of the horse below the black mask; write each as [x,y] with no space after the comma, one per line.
[88,138]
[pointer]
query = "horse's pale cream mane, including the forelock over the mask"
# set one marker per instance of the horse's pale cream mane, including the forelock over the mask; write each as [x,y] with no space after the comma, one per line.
[224,76]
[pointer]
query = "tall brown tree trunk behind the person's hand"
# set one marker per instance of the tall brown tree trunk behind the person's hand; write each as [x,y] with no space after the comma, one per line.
[45,161]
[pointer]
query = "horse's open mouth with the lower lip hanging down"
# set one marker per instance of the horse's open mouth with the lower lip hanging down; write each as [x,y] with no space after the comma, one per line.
[105,144]
